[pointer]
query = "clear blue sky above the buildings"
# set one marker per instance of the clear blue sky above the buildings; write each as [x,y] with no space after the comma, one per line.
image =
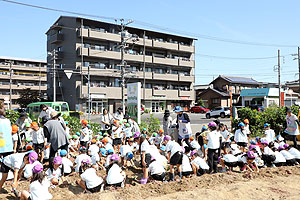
[270,21]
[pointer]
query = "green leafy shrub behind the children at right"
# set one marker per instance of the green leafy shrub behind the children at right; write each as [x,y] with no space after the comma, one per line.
[275,116]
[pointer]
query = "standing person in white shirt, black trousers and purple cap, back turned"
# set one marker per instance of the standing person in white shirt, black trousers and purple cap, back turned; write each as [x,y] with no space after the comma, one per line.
[214,139]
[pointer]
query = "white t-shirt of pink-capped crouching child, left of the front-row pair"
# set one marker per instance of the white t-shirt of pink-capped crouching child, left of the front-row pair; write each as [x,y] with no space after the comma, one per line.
[90,178]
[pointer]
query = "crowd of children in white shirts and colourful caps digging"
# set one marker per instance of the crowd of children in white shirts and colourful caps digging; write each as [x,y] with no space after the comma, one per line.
[159,157]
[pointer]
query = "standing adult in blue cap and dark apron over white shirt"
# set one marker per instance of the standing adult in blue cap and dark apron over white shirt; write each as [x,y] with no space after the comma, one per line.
[183,126]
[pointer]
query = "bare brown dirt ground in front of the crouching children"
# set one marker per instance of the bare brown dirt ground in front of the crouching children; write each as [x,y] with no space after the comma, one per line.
[270,183]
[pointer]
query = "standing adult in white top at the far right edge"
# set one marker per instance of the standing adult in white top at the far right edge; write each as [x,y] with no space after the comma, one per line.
[292,123]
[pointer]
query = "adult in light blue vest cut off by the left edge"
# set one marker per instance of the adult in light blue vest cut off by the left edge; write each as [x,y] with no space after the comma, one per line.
[6,144]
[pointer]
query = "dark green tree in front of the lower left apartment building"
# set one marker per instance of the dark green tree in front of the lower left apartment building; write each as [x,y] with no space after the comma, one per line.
[28,96]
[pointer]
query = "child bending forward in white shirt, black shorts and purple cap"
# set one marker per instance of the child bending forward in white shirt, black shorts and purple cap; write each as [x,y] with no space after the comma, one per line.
[174,156]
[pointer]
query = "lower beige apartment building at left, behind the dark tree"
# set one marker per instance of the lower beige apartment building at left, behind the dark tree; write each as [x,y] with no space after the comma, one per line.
[25,73]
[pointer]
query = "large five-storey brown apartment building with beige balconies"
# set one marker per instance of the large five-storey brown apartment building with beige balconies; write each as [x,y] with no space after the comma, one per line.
[83,44]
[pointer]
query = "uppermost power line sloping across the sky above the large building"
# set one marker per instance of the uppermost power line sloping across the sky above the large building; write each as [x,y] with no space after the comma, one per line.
[146,24]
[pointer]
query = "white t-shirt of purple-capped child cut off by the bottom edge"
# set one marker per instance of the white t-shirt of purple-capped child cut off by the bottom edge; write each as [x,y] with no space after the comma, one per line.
[39,191]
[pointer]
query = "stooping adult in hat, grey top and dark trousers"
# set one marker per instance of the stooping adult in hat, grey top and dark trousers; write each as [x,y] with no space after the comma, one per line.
[55,134]
